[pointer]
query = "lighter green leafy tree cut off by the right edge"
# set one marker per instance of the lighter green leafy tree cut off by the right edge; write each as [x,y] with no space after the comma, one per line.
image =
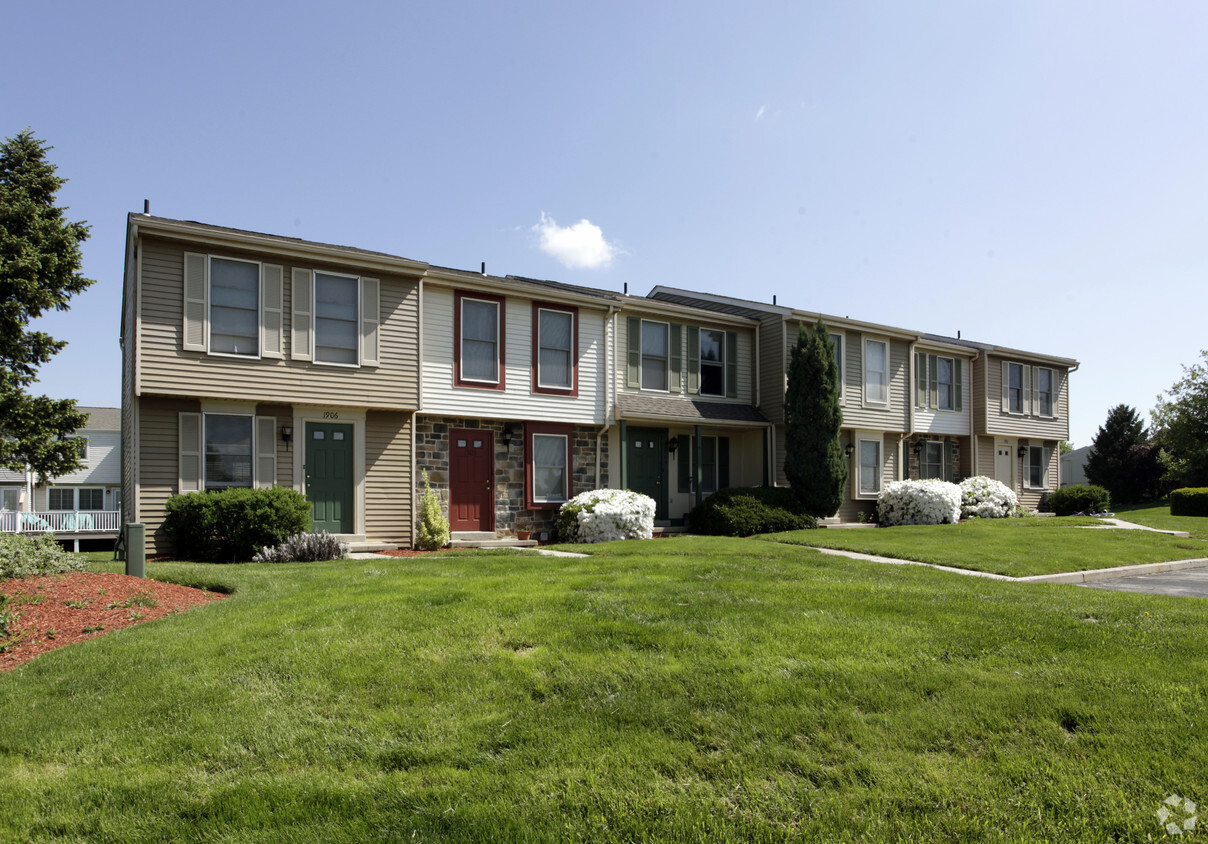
[1181,428]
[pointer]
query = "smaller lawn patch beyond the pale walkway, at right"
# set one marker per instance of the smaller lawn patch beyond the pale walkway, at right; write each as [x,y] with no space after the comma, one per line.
[1013,548]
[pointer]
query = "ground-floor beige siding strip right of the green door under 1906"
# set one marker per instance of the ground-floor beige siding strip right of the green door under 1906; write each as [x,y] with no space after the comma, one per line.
[390,488]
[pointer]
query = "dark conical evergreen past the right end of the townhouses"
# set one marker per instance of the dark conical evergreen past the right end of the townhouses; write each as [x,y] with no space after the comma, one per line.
[1122,459]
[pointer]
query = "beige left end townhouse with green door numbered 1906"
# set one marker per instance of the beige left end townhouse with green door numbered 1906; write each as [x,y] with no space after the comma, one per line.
[252,360]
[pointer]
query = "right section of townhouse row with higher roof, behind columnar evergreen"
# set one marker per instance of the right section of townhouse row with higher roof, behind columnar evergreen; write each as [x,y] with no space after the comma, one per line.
[916,405]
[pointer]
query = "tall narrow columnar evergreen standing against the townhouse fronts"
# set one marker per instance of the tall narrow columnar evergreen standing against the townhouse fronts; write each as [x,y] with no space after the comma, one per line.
[814,461]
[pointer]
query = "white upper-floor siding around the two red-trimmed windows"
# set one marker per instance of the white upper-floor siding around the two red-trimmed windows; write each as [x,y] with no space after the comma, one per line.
[516,400]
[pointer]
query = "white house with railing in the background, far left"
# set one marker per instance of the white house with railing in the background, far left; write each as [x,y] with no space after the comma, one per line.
[80,507]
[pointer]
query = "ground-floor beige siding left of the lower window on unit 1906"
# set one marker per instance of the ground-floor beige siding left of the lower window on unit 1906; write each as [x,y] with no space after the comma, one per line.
[159,463]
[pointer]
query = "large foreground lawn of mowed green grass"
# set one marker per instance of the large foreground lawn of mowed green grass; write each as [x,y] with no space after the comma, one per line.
[673,690]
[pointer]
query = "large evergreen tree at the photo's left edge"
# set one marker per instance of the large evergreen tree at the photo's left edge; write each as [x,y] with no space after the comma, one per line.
[40,265]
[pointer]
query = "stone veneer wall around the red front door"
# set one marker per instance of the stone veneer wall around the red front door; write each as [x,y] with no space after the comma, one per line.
[433,455]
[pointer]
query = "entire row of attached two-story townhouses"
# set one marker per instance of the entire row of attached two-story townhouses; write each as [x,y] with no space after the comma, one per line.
[253,360]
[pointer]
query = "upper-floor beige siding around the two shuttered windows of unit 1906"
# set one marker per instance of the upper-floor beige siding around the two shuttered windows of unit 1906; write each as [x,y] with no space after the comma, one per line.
[166,369]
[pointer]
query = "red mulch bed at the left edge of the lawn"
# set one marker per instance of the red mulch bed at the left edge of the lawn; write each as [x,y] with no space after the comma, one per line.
[49,624]
